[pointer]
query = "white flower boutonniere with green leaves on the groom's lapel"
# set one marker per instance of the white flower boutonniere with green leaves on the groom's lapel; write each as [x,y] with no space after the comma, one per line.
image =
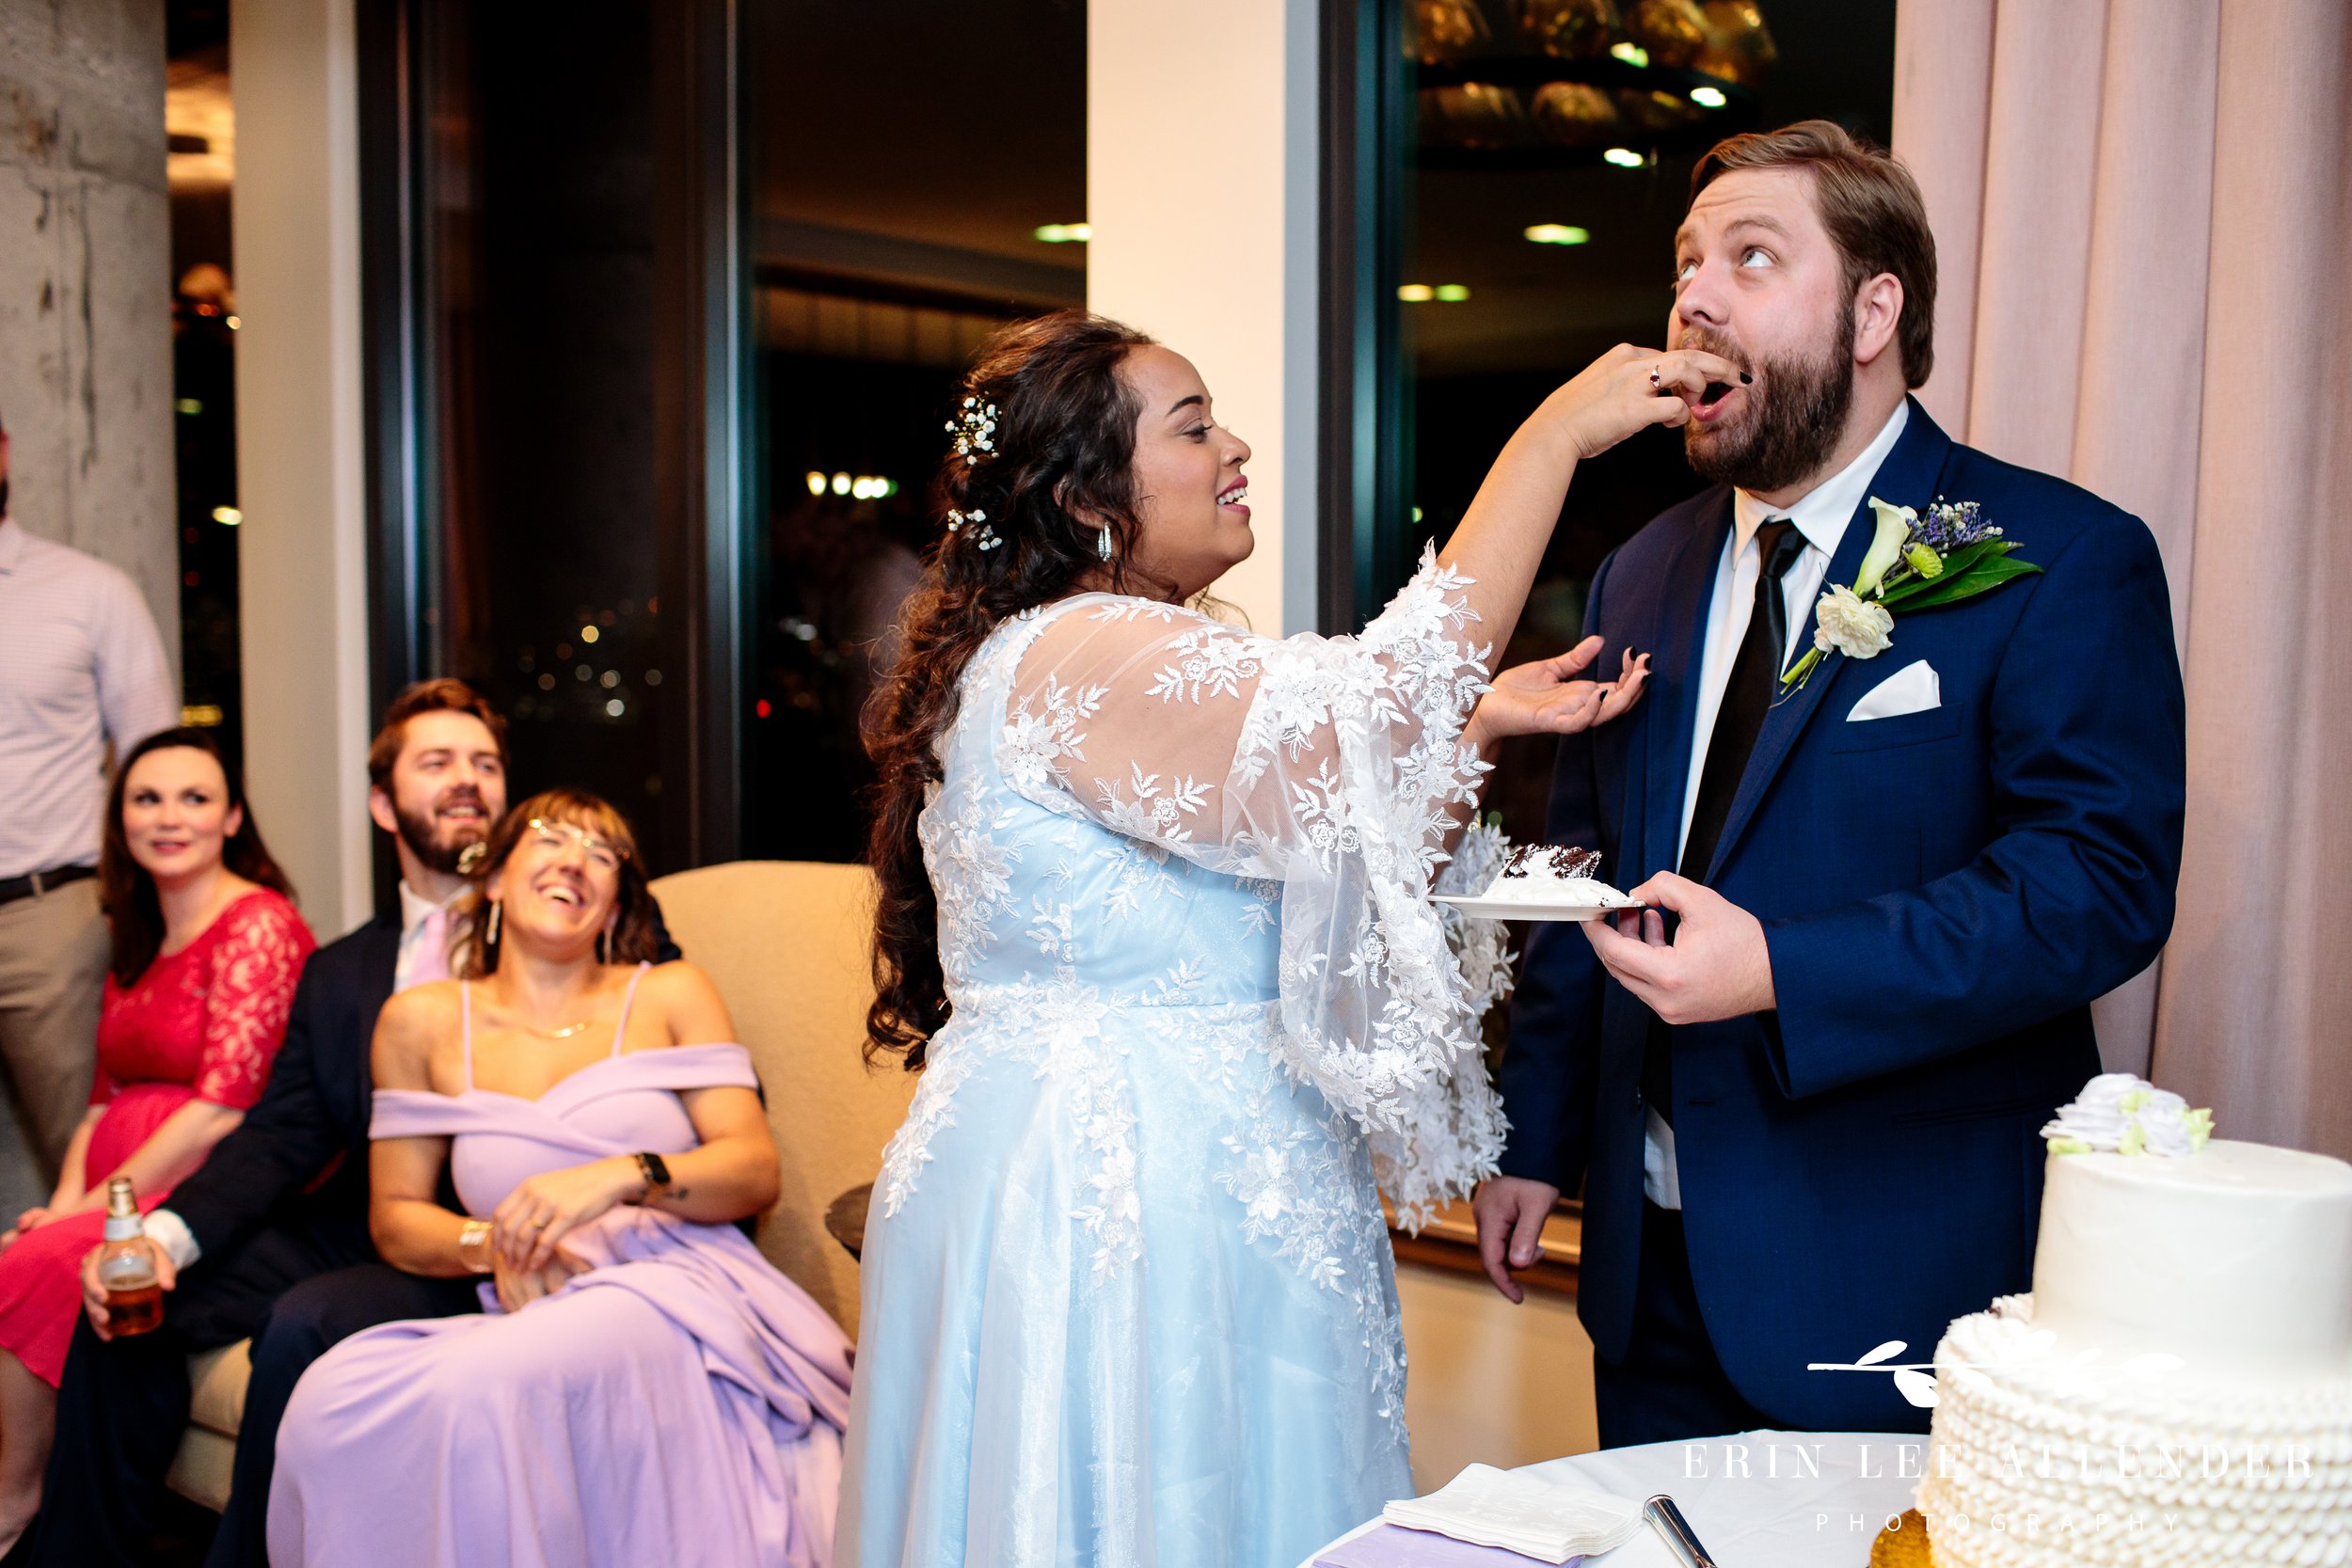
[1916,563]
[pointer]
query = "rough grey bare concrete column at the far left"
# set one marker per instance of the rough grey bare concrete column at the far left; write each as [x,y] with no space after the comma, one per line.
[86,286]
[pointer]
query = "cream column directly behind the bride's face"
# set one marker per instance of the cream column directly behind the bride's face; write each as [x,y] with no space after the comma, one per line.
[1203,194]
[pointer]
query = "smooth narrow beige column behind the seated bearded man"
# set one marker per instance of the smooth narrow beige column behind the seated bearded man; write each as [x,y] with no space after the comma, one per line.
[302,554]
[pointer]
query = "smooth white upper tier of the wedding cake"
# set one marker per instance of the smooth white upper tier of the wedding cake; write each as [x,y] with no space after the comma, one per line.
[2236,1259]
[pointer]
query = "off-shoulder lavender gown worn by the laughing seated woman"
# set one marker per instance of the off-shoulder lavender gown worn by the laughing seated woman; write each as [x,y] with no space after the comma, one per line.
[679,1405]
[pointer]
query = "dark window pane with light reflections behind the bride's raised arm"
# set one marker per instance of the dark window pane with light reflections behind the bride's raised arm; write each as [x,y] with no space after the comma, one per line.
[1544,173]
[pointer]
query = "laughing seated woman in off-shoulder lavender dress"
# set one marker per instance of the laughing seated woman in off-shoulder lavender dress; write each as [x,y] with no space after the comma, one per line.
[643,1386]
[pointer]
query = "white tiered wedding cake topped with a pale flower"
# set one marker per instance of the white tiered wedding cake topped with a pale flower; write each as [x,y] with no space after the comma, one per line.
[2179,1383]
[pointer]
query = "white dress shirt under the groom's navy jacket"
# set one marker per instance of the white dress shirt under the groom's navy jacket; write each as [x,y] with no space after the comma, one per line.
[1822,518]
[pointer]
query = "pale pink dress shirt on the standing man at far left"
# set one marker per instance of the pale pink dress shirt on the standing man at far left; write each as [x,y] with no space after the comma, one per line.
[81,666]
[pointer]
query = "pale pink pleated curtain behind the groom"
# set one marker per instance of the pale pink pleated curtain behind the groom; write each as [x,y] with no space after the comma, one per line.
[2146,243]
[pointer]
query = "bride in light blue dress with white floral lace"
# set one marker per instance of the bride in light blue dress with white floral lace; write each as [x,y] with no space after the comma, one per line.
[1156,930]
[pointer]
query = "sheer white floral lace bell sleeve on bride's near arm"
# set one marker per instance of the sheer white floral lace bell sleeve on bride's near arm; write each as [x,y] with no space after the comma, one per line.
[1332,765]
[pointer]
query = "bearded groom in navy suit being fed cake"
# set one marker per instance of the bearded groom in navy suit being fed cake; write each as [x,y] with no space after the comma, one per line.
[1805,1113]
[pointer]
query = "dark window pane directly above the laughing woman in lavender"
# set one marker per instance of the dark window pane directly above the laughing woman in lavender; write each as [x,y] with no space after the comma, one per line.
[554,514]
